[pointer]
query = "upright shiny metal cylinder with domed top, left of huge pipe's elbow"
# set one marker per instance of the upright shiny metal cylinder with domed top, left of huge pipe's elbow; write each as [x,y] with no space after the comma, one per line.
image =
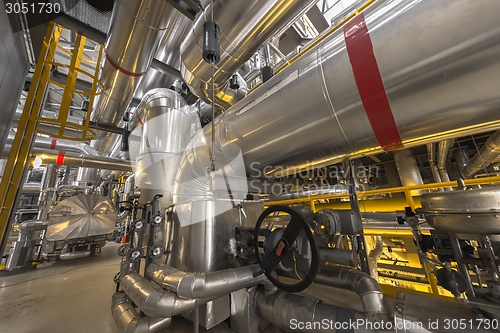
[168,127]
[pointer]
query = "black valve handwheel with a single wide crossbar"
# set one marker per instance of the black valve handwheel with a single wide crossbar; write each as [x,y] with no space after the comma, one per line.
[272,259]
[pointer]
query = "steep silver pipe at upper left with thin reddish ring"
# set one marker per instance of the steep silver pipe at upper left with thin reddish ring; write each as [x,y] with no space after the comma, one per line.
[136,29]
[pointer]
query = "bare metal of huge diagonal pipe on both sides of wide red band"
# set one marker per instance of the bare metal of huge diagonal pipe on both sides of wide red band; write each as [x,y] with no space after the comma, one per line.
[310,114]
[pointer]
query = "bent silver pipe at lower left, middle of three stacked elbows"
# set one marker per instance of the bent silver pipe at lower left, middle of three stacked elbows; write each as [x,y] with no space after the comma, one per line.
[154,302]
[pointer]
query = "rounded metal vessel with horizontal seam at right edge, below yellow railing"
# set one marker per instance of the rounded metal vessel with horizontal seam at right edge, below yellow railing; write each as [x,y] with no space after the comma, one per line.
[464,212]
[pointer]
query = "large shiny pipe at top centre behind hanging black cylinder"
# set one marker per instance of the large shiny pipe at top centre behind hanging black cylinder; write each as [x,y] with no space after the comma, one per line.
[244,27]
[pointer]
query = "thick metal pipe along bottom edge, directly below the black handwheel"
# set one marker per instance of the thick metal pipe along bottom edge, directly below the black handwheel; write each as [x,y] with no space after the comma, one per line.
[292,313]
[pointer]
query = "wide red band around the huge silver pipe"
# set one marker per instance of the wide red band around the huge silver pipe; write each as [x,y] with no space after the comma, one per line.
[370,86]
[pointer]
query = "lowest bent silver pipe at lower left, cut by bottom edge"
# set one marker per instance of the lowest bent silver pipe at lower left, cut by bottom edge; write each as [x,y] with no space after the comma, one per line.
[129,321]
